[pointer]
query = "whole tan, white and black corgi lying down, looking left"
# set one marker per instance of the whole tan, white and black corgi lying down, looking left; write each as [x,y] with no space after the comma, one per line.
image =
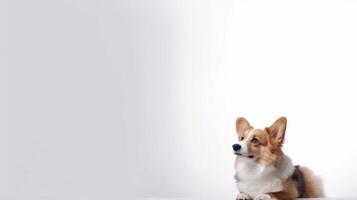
[263,171]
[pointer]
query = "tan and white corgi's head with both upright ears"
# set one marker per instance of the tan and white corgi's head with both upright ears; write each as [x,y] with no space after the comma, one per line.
[262,146]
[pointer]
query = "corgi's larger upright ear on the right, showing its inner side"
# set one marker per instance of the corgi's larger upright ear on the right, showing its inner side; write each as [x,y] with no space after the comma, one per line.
[277,131]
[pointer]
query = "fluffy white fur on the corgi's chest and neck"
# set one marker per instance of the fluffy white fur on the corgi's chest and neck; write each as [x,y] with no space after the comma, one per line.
[254,179]
